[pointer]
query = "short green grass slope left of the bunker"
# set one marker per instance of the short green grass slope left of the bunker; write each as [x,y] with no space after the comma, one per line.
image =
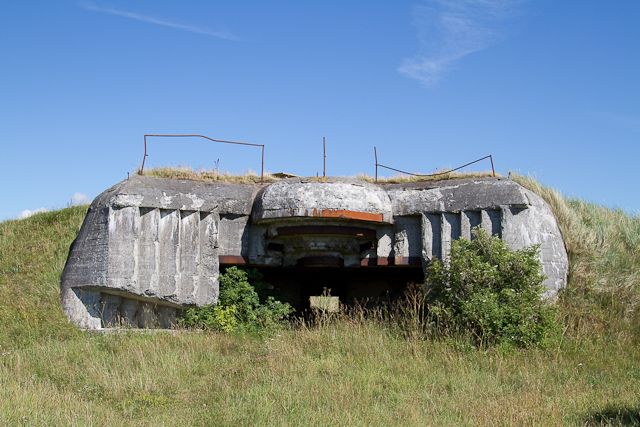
[32,255]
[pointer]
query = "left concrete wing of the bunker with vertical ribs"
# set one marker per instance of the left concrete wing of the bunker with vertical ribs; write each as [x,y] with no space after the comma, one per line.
[147,247]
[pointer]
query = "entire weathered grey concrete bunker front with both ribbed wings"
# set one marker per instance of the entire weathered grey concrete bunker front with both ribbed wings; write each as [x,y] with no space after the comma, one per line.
[151,246]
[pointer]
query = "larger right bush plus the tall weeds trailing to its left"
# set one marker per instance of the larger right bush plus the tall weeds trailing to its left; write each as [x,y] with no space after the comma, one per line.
[484,295]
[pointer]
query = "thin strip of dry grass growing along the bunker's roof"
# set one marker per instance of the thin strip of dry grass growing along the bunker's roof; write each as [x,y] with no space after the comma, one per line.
[253,178]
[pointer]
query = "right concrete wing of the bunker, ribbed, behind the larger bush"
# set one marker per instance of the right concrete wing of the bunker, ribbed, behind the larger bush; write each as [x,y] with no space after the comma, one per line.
[450,209]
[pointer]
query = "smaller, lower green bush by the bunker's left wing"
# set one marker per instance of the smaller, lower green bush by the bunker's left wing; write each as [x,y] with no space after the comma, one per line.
[239,306]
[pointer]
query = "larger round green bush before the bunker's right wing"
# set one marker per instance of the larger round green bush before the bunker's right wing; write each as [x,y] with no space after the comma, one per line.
[490,292]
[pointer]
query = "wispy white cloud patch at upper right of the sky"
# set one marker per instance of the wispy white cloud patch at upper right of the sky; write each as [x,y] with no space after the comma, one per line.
[449,30]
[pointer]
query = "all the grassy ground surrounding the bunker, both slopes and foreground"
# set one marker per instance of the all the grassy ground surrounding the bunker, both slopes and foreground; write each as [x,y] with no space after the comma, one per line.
[353,372]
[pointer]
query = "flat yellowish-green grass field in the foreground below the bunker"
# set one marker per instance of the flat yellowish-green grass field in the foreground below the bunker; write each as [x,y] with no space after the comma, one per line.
[348,374]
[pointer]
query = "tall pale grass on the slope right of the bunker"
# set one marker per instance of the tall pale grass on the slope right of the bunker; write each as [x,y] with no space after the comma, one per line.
[604,263]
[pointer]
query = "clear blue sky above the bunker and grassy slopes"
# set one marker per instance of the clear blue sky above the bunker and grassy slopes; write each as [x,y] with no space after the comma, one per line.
[549,88]
